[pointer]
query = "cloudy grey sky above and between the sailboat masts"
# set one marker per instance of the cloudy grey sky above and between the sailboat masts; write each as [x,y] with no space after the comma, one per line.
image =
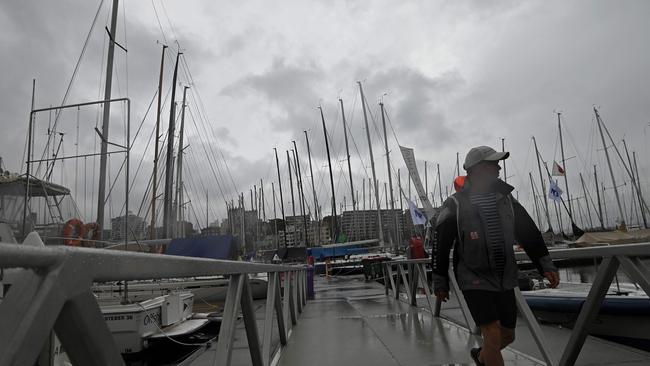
[452,75]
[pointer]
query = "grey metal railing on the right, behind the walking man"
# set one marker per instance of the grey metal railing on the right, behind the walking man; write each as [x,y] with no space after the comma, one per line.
[625,256]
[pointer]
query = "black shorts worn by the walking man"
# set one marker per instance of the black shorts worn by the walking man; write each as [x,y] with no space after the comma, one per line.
[489,306]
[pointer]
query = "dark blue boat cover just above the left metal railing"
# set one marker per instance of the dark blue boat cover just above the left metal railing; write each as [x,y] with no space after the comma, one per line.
[213,246]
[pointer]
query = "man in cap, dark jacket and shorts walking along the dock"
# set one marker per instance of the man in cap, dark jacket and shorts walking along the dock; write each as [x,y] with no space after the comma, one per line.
[485,222]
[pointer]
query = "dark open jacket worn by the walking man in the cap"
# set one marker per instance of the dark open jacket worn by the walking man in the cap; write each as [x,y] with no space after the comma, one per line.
[461,222]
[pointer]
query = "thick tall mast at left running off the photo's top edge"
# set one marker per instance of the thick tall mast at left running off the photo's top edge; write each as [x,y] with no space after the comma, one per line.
[101,193]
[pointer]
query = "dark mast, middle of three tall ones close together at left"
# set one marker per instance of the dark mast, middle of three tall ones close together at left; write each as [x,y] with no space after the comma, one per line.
[169,178]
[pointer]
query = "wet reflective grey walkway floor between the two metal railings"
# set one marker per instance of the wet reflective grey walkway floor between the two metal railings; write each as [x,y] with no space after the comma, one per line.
[352,322]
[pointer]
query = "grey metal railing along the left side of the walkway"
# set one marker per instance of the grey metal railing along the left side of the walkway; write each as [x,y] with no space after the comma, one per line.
[55,293]
